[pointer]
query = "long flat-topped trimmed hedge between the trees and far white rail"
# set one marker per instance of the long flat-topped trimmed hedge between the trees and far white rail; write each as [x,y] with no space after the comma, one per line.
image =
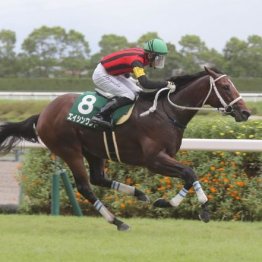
[83,84]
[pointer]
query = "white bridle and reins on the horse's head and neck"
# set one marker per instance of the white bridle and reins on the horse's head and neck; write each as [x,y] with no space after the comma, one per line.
[226,109]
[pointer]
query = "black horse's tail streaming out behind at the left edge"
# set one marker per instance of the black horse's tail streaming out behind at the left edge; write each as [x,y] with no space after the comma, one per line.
[13,133]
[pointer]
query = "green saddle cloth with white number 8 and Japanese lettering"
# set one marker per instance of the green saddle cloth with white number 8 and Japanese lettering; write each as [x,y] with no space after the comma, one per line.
[89,104]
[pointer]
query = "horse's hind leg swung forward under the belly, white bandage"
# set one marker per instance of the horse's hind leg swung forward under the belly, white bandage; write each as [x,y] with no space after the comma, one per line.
[98,178]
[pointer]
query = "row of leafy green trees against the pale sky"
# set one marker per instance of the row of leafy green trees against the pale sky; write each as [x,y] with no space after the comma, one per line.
[55,52]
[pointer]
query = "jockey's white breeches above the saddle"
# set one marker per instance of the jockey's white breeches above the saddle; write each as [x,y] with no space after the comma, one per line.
[111,86]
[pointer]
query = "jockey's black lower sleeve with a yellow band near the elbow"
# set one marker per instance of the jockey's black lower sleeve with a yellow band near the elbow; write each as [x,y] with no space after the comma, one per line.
[139,73]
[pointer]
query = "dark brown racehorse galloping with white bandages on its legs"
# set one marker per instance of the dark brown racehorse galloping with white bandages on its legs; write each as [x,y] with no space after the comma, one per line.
[150,138]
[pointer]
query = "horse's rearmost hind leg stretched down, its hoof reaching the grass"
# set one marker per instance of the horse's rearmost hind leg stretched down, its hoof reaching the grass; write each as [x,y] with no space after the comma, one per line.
[74,160]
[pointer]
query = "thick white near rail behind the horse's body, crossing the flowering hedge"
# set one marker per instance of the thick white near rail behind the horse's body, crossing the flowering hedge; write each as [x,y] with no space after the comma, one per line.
[245,145]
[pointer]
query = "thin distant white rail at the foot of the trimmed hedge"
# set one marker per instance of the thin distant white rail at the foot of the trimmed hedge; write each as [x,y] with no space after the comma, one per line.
[51,95]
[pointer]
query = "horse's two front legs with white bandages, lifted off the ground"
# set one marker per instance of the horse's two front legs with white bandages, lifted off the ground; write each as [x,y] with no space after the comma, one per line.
[168,166]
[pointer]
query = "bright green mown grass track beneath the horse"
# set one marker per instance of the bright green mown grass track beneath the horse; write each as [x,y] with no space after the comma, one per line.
[46,238]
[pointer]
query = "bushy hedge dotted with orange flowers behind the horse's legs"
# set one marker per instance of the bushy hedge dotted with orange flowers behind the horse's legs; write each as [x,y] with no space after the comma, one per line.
[232,180]
